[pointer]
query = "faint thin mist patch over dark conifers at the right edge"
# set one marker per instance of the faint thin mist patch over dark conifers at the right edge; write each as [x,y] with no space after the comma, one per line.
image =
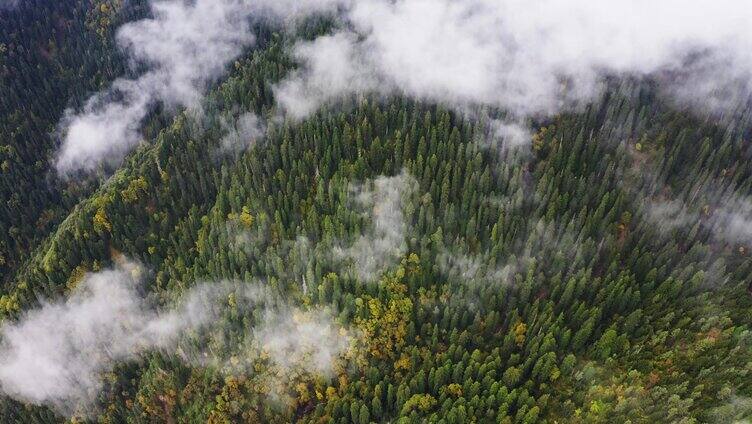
[704,215]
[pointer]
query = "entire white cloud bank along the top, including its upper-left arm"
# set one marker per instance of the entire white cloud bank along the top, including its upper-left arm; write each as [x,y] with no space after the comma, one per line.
[529,59]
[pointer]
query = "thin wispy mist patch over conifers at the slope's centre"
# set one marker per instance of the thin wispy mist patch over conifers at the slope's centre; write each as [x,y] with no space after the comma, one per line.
[383,205]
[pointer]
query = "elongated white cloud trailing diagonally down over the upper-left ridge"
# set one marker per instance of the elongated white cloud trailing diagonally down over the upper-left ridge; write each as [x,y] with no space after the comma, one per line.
[183,48]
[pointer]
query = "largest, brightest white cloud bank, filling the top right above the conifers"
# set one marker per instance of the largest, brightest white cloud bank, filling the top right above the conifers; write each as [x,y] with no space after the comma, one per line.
[527,58]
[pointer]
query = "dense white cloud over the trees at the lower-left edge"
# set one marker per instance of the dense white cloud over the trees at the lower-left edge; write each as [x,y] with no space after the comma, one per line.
[55,354]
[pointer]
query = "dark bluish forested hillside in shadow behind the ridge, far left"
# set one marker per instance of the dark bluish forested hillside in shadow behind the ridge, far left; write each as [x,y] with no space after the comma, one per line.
[52,55]
